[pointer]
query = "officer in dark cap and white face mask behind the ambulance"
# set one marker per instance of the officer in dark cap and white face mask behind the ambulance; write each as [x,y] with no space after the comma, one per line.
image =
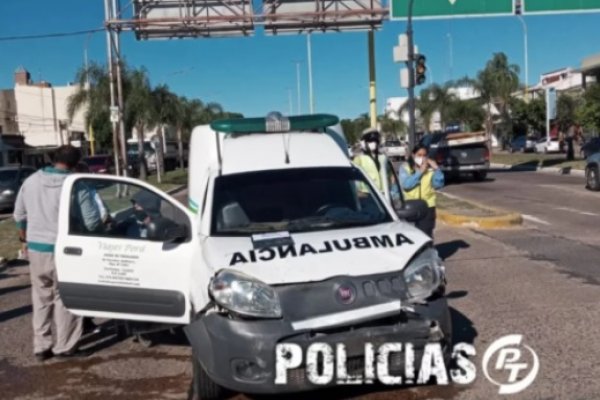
[371,162]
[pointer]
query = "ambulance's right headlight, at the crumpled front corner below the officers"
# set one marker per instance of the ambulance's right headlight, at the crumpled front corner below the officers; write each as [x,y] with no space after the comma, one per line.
[423,275]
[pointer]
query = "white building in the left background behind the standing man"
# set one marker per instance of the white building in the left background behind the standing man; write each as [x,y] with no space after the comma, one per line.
[40,112]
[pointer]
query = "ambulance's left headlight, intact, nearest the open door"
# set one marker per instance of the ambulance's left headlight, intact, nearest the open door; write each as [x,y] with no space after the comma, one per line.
[244,295]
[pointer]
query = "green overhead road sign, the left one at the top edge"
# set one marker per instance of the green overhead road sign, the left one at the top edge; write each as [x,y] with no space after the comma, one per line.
[431,9]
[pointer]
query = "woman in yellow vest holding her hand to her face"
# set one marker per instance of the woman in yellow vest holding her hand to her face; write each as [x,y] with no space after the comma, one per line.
[420,177]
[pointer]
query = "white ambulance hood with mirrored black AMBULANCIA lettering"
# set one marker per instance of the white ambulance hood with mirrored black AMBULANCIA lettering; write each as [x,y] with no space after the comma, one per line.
[315,256]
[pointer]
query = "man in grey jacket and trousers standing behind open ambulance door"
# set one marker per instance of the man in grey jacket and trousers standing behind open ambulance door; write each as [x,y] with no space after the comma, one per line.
[36,214]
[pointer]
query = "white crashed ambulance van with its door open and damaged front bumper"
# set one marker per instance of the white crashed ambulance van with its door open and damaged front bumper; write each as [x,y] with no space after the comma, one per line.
[284,240]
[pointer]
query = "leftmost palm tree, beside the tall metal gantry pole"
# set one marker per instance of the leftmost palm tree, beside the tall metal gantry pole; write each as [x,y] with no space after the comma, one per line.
[93,96]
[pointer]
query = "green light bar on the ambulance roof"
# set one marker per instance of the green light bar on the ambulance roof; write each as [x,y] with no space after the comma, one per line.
[275,123]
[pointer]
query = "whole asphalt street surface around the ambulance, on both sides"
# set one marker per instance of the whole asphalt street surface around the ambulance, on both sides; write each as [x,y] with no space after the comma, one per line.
[537,281]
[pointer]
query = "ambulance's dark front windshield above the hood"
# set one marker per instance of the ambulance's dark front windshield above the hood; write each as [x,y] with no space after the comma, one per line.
[297,200]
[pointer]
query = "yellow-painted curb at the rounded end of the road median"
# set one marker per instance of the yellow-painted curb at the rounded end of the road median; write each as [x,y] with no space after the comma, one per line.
[503,220]
